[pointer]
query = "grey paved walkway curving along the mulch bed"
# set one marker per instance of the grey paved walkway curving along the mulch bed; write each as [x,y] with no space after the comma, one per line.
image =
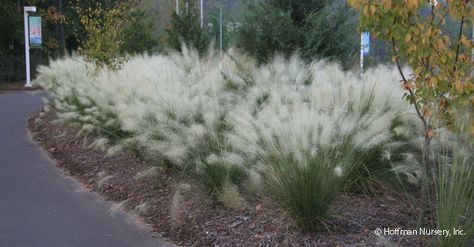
[39,206]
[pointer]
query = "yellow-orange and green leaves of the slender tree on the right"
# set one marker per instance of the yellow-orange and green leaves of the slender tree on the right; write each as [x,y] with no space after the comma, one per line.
[441,85]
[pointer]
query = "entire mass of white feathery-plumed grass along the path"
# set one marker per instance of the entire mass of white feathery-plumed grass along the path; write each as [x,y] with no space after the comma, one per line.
[297,132]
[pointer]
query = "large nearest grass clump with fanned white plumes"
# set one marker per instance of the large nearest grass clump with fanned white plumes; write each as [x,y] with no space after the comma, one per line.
[309,131]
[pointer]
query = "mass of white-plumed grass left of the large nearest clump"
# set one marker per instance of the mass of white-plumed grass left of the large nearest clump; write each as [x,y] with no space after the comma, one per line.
[171,109]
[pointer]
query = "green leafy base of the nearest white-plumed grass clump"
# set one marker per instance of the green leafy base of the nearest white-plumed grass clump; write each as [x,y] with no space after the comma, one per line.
[305,191]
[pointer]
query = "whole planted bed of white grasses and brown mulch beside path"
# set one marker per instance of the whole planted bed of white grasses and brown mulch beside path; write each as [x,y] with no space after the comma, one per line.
[219,150]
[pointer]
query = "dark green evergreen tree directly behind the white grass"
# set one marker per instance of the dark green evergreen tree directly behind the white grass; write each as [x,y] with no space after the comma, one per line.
[317,29]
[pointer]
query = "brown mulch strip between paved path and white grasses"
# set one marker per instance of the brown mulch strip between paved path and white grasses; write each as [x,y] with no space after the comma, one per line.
[195,220]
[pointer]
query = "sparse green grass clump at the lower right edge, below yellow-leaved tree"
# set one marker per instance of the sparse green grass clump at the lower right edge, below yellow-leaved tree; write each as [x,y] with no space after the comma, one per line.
[454,191]
